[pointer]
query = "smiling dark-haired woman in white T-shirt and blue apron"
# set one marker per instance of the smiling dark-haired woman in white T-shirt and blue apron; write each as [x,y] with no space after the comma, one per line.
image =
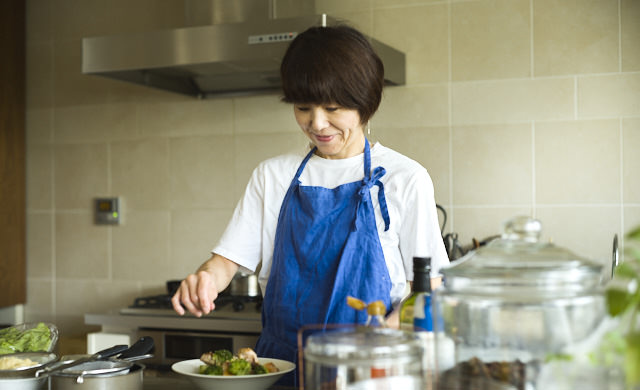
[345,218]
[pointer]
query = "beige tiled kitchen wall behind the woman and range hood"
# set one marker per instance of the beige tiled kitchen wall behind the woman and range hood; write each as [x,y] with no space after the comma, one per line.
[514,106]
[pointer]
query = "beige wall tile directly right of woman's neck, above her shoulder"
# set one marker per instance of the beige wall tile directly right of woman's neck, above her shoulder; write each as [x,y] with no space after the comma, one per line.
[429,146]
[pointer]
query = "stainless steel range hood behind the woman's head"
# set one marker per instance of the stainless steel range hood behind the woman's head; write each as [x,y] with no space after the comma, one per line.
[213,60]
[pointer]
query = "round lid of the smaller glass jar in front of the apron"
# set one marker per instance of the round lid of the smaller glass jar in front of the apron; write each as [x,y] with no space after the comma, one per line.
[361,345]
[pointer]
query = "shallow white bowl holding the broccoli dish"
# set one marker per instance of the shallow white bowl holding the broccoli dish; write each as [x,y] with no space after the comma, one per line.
[189,368]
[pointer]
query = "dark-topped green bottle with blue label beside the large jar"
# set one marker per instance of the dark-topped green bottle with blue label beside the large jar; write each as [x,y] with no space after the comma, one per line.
[415,310]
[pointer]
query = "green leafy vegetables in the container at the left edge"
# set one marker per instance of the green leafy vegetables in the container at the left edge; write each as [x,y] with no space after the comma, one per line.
[29,340]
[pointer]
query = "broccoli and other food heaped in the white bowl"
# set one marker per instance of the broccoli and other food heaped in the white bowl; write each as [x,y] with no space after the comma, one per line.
[223,362]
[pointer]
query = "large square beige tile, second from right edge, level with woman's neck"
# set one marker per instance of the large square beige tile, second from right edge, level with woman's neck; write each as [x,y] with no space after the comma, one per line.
[577,162]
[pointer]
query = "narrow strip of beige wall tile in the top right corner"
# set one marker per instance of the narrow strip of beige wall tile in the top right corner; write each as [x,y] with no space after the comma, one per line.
[630,28]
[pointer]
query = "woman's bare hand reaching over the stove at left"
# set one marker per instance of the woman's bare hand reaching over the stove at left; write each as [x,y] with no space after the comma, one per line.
[198,291]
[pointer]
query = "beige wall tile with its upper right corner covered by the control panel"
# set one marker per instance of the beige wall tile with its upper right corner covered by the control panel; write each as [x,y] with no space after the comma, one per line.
[81,247]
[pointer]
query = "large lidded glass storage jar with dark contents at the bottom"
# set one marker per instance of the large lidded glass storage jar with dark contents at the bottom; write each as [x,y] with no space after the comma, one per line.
[511,306]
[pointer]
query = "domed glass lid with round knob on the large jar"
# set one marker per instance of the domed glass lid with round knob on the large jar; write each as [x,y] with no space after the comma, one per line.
[519,262]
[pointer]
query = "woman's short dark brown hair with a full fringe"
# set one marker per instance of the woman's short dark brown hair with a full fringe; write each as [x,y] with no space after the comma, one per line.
[334,64]
